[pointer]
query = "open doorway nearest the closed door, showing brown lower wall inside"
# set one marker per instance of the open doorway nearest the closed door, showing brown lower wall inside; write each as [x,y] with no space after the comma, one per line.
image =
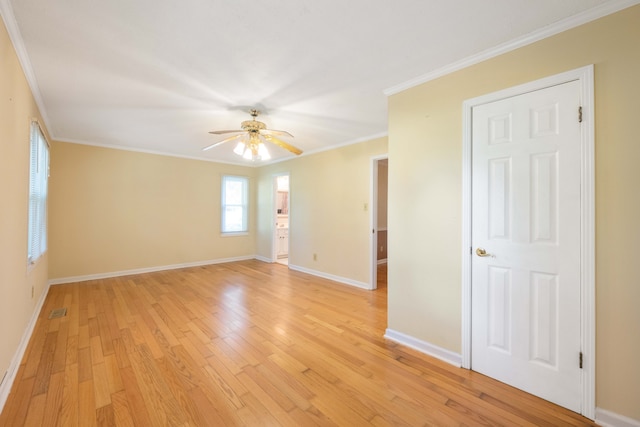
[379,253]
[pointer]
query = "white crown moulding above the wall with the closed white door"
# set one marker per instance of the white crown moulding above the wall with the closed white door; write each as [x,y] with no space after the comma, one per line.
[535,36]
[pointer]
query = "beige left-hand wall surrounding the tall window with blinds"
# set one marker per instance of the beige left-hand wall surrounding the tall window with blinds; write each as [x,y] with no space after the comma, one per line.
[17,107]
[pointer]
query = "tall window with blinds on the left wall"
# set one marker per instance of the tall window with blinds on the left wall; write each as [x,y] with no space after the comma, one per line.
[38,177]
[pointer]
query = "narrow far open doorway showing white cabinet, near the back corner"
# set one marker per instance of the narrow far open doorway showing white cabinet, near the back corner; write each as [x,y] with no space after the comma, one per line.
[282,215]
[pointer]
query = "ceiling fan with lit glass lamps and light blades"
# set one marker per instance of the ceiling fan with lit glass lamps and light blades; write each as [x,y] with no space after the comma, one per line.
[250,139]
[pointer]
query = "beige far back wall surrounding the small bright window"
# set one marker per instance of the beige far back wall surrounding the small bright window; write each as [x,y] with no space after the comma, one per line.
[113,210]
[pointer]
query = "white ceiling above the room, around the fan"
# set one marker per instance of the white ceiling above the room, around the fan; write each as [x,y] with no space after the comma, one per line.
[157,75]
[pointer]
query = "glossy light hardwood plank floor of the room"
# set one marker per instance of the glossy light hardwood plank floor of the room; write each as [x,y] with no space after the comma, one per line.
[244,343]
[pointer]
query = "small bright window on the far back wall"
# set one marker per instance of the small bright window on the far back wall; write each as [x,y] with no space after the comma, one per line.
[235,194]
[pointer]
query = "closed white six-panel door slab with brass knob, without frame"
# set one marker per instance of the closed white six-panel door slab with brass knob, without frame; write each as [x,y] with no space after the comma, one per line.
[526,242]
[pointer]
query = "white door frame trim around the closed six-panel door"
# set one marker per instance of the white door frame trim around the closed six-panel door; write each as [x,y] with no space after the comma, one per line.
[587,229]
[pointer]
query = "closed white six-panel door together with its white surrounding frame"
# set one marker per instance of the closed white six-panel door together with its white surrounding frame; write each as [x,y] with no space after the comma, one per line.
[528,320]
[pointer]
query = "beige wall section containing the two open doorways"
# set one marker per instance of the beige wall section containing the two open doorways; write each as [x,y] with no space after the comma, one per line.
[328,191]
